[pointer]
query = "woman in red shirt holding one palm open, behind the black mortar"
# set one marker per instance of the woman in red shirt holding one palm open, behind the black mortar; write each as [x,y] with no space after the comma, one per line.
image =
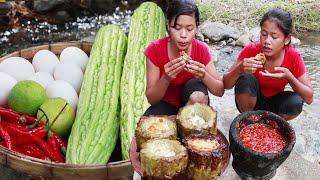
[261,86]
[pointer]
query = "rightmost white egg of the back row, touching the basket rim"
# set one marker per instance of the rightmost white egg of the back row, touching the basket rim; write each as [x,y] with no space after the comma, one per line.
[75,55]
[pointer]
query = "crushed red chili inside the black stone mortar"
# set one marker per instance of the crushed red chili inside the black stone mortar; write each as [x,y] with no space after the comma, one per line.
[262,138]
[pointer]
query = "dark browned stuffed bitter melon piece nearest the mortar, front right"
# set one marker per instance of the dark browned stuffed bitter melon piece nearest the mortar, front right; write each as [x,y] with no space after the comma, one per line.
[206,156]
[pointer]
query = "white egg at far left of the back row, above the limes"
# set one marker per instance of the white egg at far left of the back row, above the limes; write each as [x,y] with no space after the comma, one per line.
[17,67]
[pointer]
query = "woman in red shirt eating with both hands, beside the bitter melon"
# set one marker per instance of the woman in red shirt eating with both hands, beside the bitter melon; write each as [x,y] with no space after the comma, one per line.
[171,81]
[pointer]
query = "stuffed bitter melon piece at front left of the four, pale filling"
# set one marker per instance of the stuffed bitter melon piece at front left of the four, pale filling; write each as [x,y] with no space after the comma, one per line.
[163,159]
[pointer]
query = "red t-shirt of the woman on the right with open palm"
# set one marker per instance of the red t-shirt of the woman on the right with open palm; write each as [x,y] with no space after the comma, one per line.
[293,61]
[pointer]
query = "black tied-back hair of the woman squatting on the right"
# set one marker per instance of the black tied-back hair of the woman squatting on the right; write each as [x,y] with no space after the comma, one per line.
[282,18]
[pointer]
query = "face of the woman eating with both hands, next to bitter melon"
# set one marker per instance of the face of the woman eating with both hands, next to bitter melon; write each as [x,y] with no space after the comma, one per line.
[182,34]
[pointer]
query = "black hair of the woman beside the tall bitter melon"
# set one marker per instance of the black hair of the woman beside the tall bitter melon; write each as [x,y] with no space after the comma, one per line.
[182,7]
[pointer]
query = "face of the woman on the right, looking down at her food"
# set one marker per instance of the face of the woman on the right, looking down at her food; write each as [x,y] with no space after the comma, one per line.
[272,38]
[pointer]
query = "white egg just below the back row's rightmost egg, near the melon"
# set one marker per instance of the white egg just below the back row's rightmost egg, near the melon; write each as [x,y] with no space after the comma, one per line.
[70,73]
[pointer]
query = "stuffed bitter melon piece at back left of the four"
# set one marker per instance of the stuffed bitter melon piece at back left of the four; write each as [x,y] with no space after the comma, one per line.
[152,127]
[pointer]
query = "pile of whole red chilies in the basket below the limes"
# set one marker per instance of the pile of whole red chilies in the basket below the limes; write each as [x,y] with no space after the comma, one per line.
[25,134]
